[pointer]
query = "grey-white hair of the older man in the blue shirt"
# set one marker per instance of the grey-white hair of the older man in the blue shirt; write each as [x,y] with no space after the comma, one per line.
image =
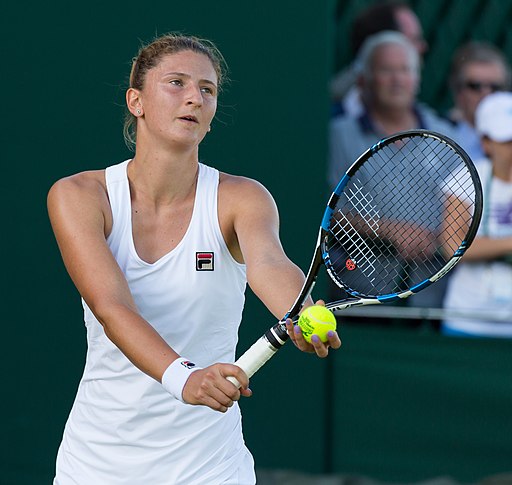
[366,53]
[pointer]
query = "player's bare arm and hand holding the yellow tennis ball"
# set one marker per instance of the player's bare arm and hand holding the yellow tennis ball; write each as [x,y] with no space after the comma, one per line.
[274,279]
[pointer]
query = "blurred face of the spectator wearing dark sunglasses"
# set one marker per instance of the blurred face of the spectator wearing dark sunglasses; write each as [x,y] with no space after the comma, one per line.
[478,80]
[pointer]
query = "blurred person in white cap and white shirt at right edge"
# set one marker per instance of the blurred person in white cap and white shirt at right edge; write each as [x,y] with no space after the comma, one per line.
[481,285]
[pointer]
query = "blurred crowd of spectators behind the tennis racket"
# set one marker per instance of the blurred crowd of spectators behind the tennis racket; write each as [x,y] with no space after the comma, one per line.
[398,75]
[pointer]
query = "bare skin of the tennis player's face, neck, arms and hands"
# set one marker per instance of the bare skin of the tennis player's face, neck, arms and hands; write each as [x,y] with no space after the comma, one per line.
[174,111]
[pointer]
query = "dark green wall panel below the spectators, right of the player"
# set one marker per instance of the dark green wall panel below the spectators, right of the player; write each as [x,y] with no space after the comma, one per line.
[411,406]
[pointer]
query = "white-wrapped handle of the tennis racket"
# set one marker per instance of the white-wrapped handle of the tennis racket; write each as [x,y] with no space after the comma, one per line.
[259,353]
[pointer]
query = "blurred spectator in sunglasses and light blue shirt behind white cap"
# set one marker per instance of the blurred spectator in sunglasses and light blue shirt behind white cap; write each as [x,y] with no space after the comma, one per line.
[478,68]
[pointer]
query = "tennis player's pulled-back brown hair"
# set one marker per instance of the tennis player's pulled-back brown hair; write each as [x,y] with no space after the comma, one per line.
[151,54]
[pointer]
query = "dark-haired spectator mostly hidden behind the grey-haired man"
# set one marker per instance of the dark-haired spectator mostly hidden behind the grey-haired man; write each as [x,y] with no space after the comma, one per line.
[389,15]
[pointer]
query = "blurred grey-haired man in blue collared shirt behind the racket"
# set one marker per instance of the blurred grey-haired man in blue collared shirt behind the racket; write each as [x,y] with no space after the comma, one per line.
[389,82]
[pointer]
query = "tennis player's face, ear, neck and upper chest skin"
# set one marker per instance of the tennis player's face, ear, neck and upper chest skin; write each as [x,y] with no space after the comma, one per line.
[174,112]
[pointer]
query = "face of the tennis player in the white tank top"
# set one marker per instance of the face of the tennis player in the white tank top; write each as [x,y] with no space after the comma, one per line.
[179,98]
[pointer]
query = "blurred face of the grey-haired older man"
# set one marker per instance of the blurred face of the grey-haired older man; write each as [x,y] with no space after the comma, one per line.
[393,82]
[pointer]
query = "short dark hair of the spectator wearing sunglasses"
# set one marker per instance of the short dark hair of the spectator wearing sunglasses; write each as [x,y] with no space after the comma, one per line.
[481,52]
